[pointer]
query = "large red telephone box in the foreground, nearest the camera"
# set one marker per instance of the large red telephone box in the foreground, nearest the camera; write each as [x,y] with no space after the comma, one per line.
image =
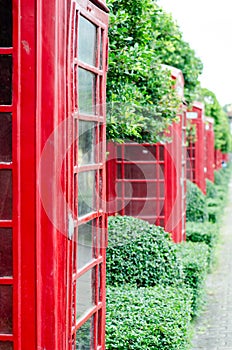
[52,174]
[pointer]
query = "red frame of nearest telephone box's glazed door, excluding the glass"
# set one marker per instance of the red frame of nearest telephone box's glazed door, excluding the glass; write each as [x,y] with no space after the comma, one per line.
[100,19]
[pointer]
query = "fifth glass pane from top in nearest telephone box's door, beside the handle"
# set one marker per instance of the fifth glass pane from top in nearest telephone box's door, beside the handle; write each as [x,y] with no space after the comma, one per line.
[86,236]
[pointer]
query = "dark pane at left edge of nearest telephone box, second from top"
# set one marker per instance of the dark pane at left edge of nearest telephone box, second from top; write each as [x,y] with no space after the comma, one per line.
[5,79]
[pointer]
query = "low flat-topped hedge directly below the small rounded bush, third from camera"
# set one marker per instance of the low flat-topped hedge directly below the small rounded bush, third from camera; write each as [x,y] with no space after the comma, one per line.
[205,232]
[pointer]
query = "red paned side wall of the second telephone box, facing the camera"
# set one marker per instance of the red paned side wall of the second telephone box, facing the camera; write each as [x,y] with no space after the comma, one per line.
[136,181]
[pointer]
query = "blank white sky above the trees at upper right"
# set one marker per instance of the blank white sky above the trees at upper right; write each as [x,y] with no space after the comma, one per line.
[207,26]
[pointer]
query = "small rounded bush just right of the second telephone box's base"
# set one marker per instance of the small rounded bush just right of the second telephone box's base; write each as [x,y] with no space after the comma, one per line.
[196,208]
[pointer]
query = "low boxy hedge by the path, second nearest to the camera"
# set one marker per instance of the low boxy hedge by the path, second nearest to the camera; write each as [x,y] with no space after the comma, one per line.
[194,258]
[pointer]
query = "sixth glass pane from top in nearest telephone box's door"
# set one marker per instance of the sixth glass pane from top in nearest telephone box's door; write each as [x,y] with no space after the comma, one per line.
[85,292]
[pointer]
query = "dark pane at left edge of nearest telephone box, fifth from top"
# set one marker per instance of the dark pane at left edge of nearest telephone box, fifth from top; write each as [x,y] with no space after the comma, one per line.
[5,252]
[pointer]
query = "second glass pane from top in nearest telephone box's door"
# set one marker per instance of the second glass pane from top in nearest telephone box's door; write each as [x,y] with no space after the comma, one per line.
[86,92]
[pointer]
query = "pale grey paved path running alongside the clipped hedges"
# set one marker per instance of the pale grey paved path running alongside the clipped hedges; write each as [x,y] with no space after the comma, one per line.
[214,327]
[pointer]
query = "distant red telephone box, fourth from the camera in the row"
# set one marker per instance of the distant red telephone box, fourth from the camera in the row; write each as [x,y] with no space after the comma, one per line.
[209,148]
